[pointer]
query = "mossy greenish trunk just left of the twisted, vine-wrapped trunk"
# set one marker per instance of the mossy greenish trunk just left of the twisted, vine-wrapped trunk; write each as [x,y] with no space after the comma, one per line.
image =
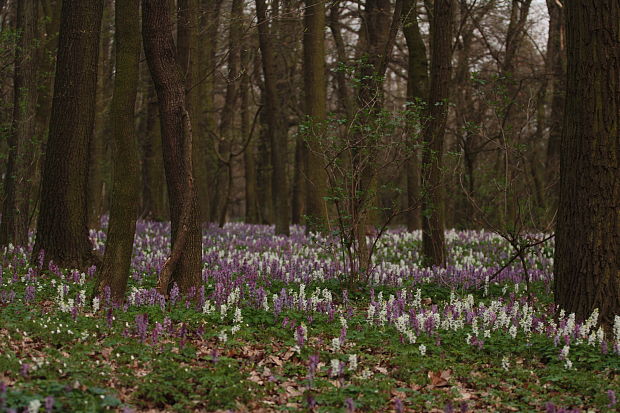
[124,198]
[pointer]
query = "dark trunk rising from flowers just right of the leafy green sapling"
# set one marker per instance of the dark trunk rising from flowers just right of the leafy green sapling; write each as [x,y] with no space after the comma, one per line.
[433,221]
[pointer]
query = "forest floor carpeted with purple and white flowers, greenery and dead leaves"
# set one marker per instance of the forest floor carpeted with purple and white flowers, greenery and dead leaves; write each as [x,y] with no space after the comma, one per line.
[273,329]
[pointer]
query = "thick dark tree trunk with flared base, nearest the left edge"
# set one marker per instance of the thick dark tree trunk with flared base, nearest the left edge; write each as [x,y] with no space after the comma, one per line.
[62,228]
